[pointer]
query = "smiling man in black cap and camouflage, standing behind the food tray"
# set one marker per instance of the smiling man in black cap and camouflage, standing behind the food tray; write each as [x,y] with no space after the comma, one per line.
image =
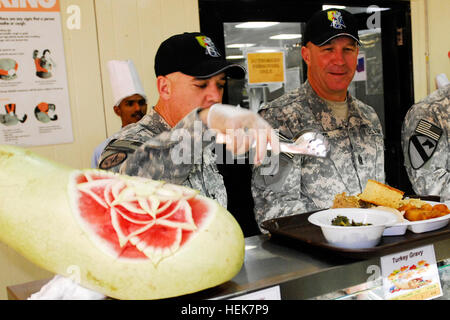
[305,183]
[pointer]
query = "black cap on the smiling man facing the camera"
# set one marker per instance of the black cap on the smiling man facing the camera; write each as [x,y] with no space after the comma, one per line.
[328,24]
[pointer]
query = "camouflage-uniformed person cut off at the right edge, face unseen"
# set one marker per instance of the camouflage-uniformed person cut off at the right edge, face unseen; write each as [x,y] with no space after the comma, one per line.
[426,144]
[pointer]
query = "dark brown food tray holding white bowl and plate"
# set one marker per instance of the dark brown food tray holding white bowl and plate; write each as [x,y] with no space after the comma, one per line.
[300,233]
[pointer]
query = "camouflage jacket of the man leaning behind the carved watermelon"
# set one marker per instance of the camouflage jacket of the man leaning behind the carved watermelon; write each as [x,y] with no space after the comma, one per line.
[146,148]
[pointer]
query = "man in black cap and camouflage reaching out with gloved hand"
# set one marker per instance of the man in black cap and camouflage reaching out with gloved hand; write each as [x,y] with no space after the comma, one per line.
[172,142]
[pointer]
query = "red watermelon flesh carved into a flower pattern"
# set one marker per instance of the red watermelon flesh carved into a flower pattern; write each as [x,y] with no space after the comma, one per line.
[135,218]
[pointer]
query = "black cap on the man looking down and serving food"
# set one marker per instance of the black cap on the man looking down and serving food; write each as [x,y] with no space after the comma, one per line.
[194,54]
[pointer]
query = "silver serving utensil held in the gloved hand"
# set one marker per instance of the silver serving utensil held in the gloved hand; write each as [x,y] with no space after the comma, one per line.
[310,143]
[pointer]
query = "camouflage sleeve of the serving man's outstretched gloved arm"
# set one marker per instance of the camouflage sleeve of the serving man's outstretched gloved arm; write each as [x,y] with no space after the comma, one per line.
[170,155]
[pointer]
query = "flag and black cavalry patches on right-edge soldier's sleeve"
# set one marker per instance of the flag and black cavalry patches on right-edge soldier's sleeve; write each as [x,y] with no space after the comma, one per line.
[423,143]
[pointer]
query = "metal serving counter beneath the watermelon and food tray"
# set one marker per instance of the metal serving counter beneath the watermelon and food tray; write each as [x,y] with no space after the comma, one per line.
[295,272]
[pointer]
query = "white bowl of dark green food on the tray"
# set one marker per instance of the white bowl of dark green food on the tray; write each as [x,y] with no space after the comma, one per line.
[366,231]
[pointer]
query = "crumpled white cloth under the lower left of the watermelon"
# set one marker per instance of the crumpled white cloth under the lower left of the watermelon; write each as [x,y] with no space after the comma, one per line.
[62,288]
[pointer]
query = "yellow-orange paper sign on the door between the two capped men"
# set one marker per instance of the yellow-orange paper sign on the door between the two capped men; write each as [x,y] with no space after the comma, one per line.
[265,67]
